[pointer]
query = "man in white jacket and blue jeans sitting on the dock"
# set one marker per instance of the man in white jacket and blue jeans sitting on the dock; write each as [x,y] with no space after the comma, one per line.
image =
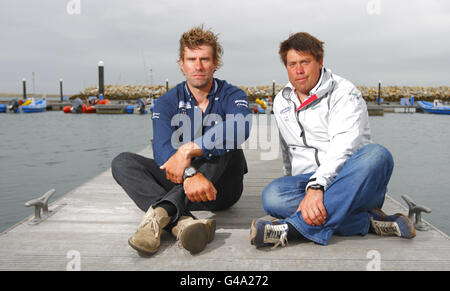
[335,178]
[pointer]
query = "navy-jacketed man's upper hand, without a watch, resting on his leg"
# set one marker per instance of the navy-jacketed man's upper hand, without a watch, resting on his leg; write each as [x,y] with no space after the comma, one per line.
[177,163]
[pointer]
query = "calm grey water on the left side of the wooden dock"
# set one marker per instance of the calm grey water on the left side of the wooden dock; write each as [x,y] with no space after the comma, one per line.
[48,150]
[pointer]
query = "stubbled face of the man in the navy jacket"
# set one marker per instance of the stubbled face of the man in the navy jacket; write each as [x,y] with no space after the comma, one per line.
[198,66]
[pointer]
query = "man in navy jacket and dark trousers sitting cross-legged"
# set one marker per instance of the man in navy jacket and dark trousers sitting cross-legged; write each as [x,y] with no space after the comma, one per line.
[198,127]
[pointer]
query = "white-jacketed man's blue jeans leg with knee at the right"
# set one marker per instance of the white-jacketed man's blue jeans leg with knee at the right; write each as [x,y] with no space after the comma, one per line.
[359,187]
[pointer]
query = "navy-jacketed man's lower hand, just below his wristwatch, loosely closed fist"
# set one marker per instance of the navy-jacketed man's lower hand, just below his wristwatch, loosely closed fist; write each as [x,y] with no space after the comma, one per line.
[199,189]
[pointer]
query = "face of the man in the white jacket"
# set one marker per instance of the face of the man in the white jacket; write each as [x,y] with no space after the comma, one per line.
[303,70]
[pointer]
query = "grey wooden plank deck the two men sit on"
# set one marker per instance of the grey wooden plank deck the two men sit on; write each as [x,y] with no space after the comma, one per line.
[96,220]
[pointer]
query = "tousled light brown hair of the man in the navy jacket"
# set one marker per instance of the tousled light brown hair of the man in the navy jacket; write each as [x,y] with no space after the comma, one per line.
[198,36]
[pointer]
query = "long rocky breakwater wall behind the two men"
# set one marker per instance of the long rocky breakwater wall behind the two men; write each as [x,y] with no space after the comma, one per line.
[388,93]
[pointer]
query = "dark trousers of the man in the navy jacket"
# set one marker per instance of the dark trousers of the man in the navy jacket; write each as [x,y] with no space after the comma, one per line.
[147,185]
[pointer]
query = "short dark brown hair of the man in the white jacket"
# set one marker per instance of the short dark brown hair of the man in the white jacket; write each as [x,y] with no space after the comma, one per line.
[304,42]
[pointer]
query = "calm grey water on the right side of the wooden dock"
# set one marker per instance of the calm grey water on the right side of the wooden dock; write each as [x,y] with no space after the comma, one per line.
[419,144]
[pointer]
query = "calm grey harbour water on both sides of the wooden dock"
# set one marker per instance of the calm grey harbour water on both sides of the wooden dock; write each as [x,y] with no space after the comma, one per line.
[62,151]
